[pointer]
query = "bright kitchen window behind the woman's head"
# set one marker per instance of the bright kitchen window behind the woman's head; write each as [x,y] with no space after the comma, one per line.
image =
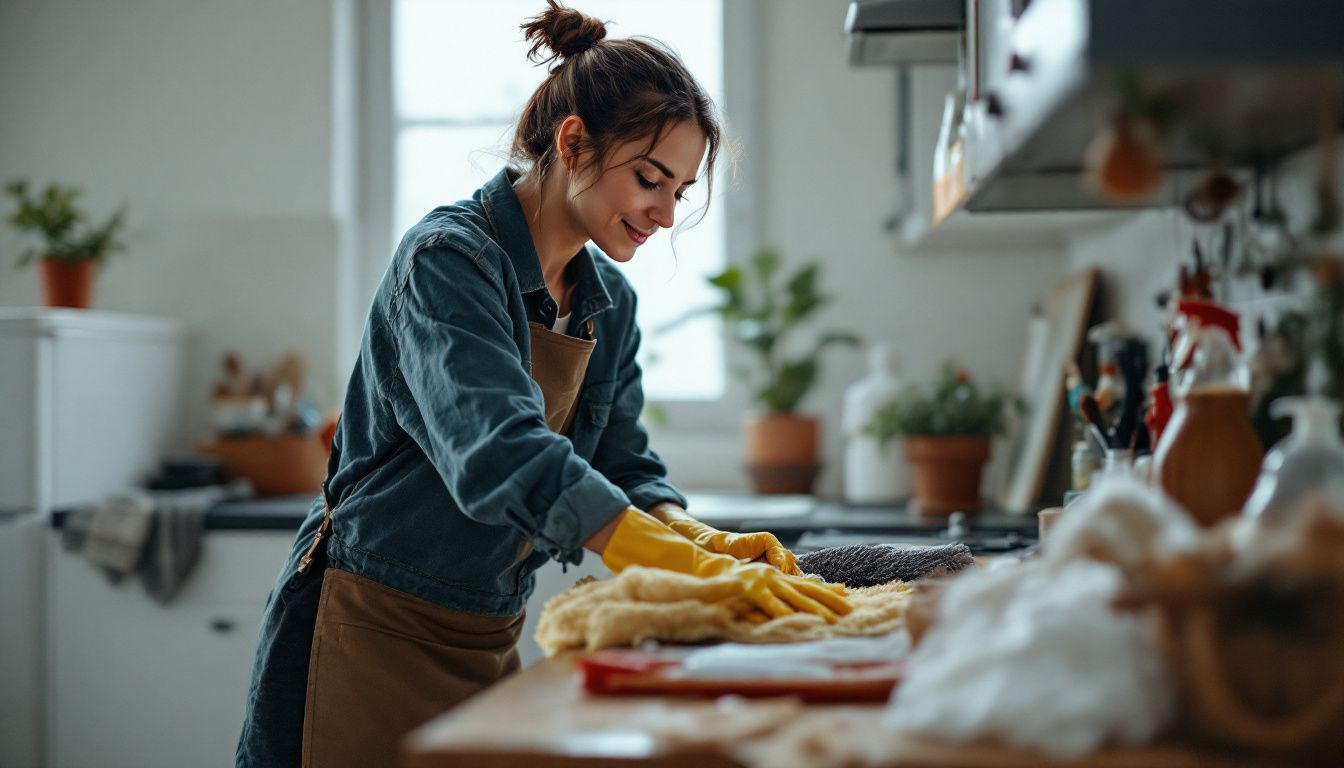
[460,77]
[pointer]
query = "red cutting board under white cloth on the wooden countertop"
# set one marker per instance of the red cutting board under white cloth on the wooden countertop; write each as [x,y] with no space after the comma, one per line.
[639,673]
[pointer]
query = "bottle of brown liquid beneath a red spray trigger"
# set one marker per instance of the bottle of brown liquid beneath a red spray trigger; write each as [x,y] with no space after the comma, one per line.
[1209,455]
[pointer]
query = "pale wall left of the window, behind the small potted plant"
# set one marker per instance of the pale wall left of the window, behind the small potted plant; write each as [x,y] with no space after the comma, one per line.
[213,123]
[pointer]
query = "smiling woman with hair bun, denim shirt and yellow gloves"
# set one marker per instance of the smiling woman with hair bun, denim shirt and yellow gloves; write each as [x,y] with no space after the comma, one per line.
[493,423]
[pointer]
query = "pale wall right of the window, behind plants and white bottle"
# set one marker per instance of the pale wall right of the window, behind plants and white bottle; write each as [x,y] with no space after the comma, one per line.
[826,159]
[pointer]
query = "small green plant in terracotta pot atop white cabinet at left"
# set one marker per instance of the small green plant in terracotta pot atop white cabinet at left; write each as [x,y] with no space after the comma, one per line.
[72,249]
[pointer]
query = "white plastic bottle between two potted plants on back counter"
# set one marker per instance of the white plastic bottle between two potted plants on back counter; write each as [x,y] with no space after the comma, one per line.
[873,474]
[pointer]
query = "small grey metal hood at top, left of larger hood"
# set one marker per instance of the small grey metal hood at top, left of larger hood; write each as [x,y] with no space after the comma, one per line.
[905,32]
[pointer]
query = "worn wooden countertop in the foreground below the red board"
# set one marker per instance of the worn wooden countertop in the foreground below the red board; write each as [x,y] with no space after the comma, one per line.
[542,719]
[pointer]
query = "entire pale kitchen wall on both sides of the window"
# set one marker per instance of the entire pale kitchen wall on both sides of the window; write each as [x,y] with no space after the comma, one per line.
[216,126]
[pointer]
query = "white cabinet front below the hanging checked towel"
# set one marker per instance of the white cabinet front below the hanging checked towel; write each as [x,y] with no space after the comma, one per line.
[142,685]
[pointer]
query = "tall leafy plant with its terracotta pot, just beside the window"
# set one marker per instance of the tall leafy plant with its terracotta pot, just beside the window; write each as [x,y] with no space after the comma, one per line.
[761,309]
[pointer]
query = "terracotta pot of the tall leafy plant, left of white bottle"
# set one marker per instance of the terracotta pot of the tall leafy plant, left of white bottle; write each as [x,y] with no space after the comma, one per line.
[783,453]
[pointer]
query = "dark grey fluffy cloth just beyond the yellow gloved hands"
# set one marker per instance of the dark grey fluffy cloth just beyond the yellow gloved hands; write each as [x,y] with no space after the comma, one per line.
[870,566]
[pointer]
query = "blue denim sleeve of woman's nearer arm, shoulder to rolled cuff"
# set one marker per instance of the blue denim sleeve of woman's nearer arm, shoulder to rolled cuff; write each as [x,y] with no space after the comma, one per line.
[476,412]
